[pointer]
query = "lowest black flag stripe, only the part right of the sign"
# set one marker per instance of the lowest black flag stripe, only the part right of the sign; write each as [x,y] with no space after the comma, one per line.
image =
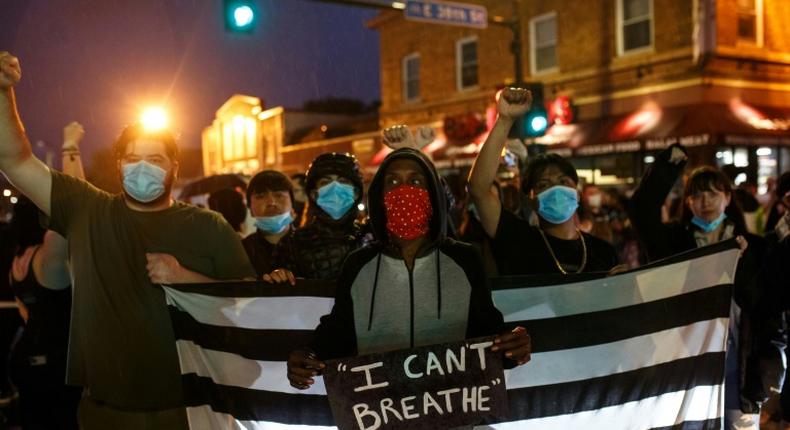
[617,389]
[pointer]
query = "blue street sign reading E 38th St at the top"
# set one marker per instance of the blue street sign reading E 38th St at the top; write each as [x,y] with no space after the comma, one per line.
[442,12]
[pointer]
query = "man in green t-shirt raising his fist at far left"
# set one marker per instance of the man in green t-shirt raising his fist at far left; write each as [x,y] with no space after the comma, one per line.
[121,342]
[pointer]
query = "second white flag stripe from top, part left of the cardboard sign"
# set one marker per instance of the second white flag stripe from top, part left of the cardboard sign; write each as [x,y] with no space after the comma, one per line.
[225,368]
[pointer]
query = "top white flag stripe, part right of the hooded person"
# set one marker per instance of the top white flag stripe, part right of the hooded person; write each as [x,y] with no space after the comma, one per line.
[521,304]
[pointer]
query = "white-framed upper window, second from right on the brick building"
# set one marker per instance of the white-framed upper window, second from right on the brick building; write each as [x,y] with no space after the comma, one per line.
[635,25]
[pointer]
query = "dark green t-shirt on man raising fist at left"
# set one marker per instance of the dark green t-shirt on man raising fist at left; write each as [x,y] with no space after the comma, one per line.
[121,343]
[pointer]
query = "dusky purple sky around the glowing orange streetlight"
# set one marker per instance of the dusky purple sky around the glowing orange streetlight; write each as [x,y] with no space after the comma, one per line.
[100,61]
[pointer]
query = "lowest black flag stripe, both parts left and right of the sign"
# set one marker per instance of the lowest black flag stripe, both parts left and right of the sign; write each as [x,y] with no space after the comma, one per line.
[525,403]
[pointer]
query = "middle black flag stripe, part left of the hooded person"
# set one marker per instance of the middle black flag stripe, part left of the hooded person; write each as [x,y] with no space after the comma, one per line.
[264,345]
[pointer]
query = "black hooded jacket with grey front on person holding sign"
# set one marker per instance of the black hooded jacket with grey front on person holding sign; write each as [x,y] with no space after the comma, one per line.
[380,305]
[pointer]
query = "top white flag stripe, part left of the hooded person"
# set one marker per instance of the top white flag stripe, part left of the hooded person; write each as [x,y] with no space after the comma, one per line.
[293,313]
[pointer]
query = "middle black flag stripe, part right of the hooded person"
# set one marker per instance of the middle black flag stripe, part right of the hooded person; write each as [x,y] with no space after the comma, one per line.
[593,328]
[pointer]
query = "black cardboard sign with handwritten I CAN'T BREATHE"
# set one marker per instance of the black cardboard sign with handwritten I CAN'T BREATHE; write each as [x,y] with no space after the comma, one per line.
[439,386]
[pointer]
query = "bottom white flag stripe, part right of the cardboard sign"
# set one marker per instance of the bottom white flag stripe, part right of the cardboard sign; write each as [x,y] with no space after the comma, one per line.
[698,404]
